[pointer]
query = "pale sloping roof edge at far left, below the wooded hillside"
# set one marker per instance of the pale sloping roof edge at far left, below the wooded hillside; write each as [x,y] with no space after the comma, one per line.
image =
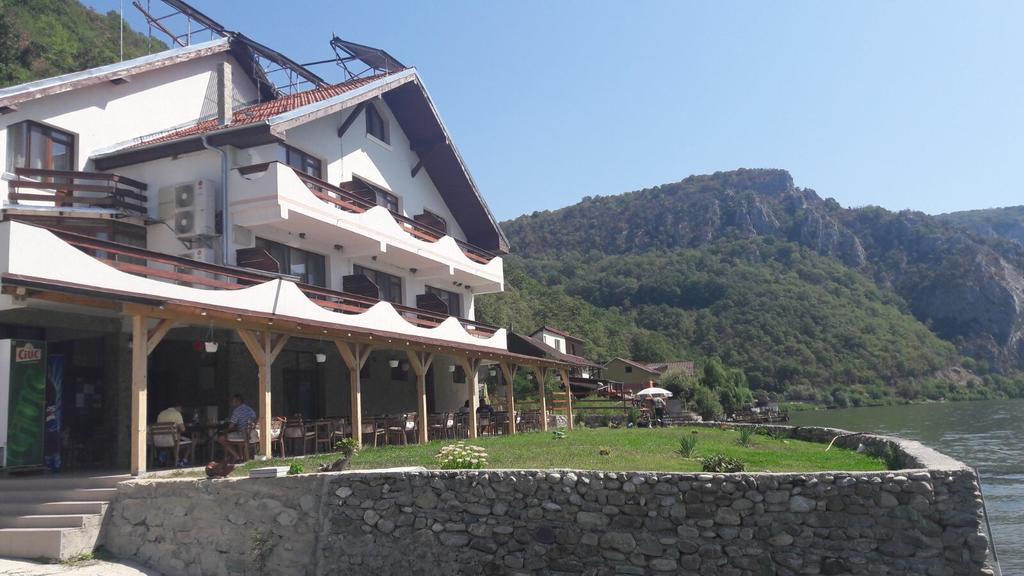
[49,87]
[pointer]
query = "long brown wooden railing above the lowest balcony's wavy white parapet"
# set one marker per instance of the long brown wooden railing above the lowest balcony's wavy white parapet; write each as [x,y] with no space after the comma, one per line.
[186,272]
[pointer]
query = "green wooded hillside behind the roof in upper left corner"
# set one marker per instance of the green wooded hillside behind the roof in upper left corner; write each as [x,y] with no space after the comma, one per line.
[45,38]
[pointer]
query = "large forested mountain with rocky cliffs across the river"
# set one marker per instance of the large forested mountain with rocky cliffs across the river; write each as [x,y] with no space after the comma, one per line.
[806,297]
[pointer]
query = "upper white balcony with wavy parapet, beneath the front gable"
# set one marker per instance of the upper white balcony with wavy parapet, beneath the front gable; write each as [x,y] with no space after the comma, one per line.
[274,195]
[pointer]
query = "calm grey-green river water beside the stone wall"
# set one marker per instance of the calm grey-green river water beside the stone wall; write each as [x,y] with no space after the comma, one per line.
[988,435]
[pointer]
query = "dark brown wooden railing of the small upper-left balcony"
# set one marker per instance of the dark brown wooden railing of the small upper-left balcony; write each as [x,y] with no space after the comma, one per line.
[74,189]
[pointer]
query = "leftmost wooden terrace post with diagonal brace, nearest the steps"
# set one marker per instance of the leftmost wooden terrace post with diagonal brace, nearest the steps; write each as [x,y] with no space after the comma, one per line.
[144,342]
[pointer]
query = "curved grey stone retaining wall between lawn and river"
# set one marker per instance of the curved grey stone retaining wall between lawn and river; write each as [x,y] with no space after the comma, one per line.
[924,521]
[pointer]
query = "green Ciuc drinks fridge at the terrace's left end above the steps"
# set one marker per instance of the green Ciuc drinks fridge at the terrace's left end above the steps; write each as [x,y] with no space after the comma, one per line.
[23,402]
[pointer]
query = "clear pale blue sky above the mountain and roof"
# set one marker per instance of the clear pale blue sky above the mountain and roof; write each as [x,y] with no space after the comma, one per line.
[904,105]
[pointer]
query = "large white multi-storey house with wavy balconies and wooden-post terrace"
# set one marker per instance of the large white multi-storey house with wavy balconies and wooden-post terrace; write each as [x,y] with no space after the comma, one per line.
[178,230]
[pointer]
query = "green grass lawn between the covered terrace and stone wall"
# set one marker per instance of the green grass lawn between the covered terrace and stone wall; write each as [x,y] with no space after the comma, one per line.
[631,449]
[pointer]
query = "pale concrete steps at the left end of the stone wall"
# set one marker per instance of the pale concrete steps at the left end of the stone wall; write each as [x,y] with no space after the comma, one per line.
[54,517]
